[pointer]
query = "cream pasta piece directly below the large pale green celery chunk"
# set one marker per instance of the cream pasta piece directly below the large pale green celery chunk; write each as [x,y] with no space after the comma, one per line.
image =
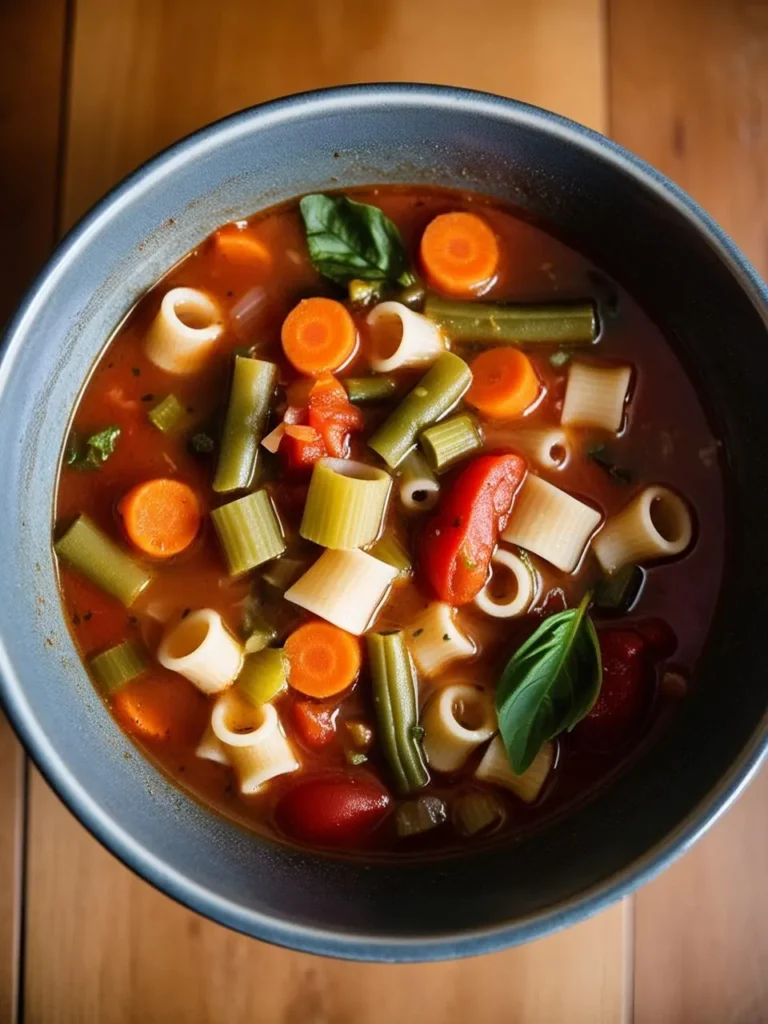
[345,587]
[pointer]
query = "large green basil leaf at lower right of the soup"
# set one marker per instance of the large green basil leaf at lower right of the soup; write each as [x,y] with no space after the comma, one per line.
[550,684]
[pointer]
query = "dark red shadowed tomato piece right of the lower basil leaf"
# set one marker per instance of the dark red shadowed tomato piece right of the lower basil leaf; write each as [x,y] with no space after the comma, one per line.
[626,693]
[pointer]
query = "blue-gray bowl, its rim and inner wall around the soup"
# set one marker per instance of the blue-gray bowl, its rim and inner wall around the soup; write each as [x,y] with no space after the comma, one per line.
[629,221]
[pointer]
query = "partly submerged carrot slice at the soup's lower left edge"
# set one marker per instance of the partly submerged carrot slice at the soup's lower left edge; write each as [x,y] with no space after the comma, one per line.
[161,708]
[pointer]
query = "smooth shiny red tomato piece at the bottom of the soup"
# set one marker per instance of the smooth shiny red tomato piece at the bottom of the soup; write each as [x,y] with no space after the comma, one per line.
[333,809]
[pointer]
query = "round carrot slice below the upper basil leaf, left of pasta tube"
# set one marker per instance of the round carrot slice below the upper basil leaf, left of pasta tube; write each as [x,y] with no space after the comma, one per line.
[319,336]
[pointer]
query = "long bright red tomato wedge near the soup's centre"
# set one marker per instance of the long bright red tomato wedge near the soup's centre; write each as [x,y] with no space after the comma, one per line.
[459,541]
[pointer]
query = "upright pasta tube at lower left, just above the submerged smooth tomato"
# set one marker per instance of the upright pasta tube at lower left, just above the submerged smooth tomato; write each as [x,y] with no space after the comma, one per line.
[253,740]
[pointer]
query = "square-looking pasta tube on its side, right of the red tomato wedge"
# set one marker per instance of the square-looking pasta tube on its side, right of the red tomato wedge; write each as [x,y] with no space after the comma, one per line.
[551,524]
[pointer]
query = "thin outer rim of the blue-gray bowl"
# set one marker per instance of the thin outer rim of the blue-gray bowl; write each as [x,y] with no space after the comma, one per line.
[106,828]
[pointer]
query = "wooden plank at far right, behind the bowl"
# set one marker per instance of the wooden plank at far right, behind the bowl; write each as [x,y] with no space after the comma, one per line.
[689,89]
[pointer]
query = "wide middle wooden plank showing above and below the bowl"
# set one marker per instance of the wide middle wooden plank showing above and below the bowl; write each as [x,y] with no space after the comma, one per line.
[103,946]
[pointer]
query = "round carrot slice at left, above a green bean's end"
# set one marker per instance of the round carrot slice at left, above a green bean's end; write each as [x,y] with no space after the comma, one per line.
[161,518]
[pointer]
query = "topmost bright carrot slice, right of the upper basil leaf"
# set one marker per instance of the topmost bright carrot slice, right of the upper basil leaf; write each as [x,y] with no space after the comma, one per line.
[459,253]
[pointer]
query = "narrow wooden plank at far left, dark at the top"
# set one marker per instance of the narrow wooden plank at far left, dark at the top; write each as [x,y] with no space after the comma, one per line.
[32,37]
